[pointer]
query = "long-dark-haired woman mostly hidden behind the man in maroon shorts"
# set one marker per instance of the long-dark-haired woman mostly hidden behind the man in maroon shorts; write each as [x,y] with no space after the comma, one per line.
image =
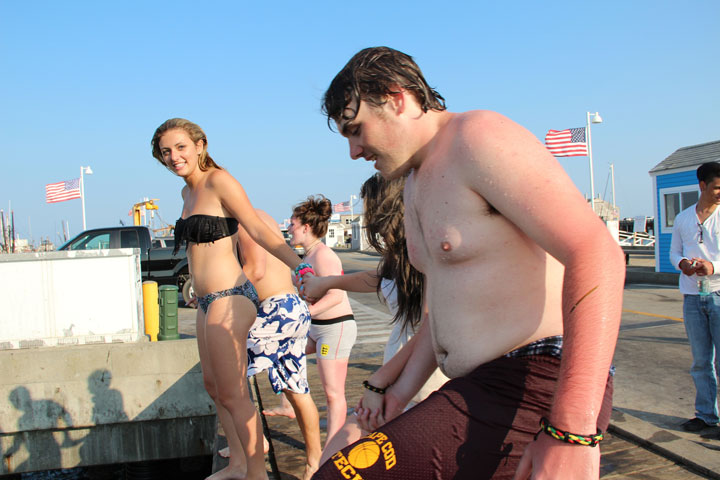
[398,283]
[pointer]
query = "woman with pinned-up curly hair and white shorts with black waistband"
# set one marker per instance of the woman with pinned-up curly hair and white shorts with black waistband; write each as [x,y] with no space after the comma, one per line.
[333,329]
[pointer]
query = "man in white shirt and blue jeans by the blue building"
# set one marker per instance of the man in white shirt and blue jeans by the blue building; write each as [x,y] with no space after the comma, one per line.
[695,250]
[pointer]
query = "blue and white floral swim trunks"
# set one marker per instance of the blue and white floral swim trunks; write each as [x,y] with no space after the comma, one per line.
[277,340]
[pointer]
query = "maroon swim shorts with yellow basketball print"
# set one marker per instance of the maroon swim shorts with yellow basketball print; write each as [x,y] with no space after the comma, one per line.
[474,427]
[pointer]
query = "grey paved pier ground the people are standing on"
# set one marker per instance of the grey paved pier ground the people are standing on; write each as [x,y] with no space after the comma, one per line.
[653,390]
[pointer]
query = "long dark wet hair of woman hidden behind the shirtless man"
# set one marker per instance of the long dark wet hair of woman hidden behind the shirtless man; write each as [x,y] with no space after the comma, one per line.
[385,229]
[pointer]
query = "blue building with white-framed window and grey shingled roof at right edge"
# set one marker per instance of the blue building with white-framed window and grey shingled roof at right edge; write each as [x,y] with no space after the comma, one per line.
[676,188]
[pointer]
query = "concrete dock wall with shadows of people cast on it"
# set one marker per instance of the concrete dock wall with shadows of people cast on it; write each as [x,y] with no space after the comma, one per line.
[99,404]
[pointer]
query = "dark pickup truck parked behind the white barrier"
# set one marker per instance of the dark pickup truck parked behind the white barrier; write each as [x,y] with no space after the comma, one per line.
[157,262]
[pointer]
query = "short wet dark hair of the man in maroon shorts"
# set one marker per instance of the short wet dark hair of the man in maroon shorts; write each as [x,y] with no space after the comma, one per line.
[373,74]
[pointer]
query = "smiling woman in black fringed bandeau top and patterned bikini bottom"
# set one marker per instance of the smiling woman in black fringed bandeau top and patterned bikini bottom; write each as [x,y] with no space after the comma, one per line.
[213,205]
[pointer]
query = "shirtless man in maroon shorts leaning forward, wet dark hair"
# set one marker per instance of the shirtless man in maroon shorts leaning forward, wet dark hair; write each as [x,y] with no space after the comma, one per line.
[483,201]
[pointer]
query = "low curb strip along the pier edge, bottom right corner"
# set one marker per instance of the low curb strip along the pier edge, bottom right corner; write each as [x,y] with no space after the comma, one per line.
[667,444]
